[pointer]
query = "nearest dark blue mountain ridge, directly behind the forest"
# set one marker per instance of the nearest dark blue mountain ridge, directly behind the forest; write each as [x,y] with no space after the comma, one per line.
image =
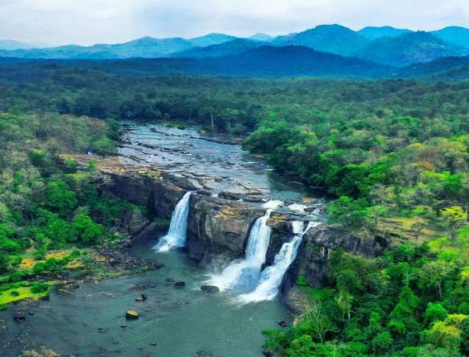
[259,61]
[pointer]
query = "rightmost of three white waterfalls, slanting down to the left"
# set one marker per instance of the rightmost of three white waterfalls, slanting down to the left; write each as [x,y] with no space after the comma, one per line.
[272,276]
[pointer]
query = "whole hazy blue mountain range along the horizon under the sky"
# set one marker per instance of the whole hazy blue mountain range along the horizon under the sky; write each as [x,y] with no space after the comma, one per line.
[378,49]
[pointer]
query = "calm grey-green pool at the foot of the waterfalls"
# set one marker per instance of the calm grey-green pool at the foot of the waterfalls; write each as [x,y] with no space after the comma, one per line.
[89,320]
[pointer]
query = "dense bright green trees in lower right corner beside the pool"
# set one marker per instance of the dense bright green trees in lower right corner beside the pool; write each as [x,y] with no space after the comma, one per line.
[405,303]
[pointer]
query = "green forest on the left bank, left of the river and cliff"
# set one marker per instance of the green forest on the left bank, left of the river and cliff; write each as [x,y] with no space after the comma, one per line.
[49,207]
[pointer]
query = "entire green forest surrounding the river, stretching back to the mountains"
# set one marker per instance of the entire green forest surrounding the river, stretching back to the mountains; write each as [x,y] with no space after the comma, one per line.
[389,150]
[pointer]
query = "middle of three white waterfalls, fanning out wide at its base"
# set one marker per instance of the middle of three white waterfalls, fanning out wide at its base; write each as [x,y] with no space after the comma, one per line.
[244,274]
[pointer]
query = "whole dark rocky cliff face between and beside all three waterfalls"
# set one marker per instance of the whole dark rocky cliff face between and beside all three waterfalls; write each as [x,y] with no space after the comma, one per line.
[218,229]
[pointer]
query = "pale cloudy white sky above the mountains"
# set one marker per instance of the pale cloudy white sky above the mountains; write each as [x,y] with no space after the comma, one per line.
[87,22]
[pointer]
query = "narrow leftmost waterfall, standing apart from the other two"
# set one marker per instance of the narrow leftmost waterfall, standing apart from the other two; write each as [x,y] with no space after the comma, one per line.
[176,237]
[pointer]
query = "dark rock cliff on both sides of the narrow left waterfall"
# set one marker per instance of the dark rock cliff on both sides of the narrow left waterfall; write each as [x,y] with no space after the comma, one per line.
[217,227]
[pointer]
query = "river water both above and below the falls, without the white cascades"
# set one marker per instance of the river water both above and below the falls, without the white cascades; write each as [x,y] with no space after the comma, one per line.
[90,321]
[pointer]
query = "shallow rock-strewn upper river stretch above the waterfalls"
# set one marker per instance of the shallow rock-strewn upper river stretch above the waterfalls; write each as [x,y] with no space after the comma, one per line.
[209,162]
